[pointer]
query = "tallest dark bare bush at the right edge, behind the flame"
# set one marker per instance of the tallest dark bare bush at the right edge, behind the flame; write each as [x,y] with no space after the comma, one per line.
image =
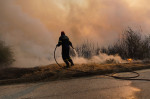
[131,45]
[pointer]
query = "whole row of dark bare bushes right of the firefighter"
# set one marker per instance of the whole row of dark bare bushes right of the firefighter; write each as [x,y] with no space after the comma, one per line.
[131,44]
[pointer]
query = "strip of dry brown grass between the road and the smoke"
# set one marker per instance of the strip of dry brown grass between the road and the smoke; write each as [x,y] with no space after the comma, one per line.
[53,72]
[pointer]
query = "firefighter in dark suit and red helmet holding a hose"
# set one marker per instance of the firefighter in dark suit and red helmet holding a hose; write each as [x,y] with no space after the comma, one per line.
[65,42]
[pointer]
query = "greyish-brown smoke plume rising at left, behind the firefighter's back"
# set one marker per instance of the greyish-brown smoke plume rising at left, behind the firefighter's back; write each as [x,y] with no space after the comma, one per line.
[29,38]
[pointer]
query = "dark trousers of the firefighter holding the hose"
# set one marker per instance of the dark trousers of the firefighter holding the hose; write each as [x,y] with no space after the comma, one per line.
[66,57]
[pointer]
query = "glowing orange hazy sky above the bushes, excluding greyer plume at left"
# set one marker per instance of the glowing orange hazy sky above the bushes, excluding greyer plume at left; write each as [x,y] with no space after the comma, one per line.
[94,19]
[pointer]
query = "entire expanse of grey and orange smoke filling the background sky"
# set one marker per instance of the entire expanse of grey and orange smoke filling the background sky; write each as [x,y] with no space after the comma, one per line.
[32,27]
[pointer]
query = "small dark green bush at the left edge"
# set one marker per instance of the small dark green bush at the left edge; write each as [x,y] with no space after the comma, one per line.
[6,55]
